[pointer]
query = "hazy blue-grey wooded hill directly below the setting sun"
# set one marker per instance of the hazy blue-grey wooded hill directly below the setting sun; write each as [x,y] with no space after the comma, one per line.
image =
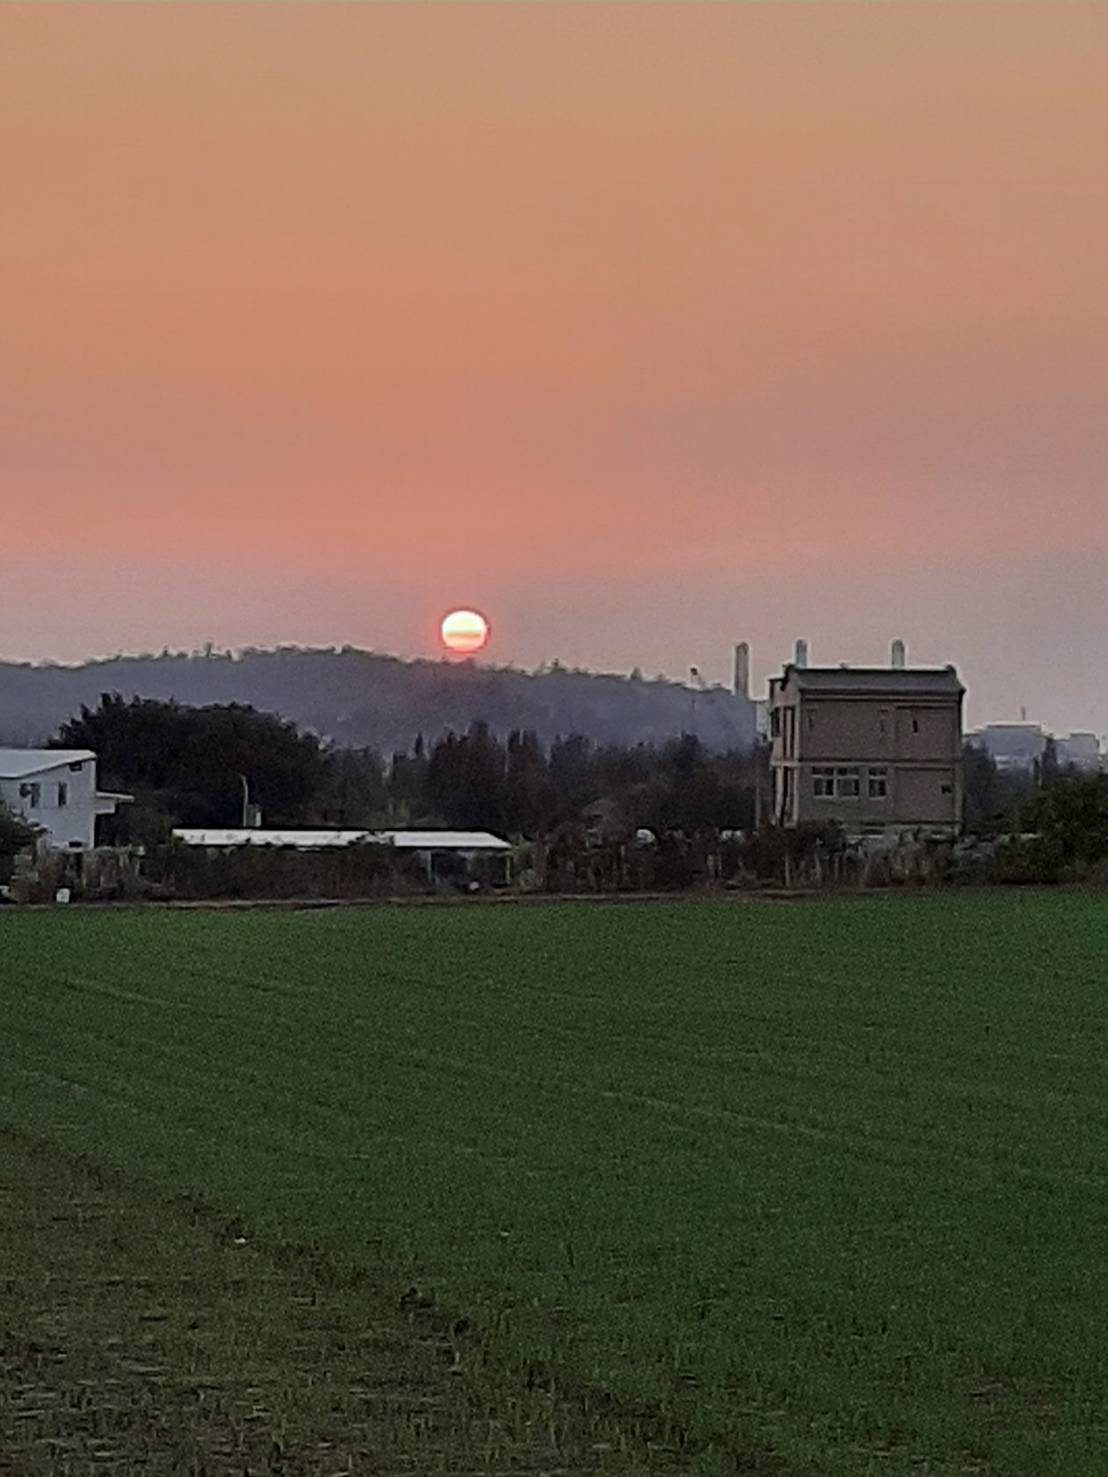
[366,699]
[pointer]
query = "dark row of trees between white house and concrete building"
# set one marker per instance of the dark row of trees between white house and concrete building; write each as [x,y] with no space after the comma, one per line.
[188,766]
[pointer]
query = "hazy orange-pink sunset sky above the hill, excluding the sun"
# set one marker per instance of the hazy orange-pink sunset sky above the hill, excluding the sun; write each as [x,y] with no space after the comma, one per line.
[640,327]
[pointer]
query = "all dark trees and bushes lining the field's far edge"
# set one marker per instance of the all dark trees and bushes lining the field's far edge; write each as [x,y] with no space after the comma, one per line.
[598,816]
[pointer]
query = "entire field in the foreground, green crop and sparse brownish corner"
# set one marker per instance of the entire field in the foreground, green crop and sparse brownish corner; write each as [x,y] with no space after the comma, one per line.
[779,1190]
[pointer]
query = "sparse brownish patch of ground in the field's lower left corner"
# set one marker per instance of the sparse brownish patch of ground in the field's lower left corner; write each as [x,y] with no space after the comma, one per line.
[141,1334]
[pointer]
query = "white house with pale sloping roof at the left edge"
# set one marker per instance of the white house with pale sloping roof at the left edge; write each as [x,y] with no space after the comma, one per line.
[55,791]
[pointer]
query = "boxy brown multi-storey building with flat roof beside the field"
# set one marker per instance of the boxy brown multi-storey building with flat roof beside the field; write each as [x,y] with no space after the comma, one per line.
[878,750]
